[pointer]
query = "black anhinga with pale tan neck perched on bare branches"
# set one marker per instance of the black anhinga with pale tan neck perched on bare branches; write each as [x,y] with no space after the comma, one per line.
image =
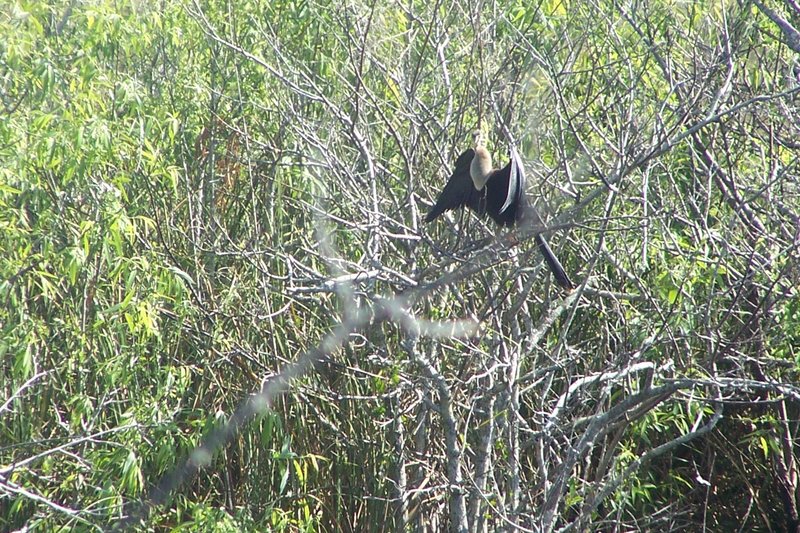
[497,193]
